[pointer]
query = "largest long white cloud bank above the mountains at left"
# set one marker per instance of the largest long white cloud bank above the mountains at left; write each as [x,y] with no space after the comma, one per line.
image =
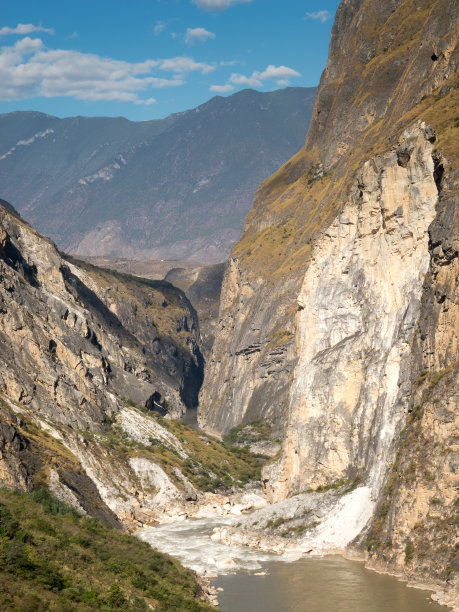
[29,69]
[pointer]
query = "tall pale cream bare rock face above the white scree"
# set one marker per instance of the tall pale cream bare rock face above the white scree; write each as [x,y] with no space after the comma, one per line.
[358,306]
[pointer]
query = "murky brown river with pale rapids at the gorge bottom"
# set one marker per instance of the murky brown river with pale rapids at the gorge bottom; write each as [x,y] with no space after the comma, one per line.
[259,582]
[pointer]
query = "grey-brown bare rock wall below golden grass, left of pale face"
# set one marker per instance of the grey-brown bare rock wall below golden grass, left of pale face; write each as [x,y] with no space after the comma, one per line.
[247,351]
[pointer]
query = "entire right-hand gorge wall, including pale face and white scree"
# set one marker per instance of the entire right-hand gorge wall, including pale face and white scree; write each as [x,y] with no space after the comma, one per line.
[339,312]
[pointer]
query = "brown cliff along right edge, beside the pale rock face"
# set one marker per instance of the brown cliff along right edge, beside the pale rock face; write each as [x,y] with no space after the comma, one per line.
[415,527]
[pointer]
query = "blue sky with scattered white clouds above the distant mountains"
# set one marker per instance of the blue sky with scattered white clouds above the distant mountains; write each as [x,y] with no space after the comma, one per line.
[145,59]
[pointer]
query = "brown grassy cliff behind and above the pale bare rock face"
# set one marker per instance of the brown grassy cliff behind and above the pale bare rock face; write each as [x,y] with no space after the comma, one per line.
[386,60]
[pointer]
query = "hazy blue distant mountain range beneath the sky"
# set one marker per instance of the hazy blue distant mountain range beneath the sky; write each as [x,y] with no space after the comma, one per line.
[176,188]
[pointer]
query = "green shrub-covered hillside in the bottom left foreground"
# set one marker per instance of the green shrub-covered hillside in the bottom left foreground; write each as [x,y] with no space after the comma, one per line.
[53,559]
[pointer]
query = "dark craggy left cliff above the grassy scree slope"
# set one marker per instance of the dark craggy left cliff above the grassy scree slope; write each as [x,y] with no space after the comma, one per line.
[72,342]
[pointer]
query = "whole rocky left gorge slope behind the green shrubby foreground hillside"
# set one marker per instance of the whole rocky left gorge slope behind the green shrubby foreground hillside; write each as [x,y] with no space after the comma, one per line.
[89,358]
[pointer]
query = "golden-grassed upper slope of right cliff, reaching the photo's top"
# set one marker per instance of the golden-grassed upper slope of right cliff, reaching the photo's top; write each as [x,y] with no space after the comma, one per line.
[379,90]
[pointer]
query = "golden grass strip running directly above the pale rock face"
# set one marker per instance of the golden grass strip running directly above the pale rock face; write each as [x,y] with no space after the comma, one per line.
[299,210]
